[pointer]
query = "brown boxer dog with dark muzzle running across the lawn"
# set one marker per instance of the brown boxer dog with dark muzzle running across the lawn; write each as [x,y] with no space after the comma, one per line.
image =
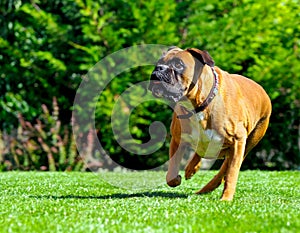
[219,115]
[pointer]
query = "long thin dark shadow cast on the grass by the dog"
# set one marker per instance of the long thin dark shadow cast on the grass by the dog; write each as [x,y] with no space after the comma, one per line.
[115,196]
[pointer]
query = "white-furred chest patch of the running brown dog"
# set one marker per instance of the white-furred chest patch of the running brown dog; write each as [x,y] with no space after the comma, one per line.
[207,143]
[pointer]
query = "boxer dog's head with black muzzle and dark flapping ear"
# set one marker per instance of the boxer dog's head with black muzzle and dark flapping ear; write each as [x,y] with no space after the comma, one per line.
[177,72]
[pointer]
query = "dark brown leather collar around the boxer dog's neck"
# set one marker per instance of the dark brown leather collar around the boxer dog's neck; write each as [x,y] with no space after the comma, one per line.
[213,92]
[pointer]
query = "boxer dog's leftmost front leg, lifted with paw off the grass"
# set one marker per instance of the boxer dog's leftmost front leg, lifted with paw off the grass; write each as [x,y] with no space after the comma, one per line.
[176,153]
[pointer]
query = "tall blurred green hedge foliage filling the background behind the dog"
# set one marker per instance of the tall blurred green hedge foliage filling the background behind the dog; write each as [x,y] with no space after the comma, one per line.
[46,48]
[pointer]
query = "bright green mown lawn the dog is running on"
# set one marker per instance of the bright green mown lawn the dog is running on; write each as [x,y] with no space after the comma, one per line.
[81,202]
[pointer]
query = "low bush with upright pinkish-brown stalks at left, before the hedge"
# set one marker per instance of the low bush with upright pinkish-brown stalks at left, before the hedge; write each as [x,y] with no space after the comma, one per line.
[45,145]
